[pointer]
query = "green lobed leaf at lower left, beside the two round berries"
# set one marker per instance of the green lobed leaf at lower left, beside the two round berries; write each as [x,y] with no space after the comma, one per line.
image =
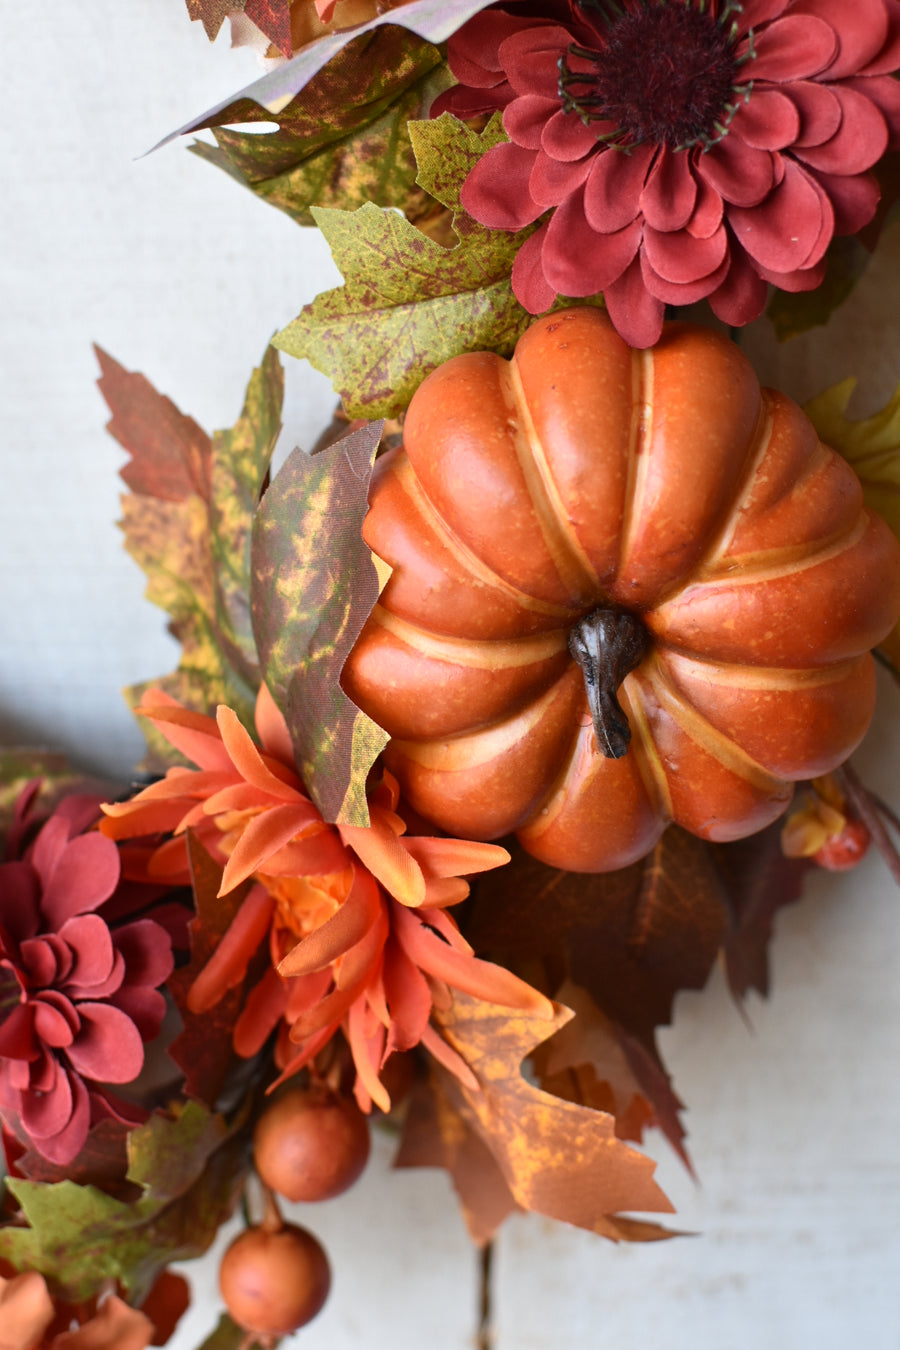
[190,1167]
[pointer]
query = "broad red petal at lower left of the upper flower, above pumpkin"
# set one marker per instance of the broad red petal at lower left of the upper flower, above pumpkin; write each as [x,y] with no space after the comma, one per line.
[577,260]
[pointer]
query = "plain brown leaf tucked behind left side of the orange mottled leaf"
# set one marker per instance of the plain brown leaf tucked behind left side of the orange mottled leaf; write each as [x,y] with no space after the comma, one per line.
[437,1136]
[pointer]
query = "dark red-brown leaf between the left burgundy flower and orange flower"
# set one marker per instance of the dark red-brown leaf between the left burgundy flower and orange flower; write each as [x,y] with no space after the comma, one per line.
[204,1047]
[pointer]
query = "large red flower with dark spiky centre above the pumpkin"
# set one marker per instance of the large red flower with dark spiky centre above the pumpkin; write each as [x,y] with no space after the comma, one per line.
[683,149]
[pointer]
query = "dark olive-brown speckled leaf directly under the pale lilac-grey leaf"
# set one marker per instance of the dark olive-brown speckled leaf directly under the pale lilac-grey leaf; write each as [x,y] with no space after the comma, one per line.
[334,151]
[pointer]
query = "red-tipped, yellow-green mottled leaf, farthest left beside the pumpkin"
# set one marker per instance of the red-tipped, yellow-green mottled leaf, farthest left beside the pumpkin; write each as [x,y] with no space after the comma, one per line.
[187,523]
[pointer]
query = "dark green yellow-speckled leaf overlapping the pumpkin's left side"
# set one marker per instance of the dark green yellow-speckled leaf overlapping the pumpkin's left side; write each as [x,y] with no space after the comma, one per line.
[315,584]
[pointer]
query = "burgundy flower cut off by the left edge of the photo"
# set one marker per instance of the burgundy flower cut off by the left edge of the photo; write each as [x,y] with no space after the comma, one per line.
[79,989]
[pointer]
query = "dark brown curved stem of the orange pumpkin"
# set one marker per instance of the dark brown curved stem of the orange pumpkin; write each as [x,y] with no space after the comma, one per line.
[608,645]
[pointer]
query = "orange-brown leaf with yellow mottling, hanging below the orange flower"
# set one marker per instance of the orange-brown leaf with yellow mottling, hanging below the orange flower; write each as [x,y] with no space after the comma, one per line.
[558,1159]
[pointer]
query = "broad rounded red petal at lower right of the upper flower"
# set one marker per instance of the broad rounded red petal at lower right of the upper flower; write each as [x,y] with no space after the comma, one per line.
[794,227]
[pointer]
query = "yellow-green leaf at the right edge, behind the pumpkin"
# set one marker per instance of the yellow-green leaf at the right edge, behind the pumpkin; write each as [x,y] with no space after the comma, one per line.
[872,446]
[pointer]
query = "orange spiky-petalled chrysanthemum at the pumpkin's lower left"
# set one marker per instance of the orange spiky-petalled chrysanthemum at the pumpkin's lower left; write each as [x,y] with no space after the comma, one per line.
[354,915]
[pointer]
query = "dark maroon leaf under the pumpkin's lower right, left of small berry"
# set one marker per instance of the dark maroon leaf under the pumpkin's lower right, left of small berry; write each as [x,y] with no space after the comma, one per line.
[759,881]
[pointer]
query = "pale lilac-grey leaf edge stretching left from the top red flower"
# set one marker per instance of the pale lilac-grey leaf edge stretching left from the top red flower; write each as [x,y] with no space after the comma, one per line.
[434,21]
